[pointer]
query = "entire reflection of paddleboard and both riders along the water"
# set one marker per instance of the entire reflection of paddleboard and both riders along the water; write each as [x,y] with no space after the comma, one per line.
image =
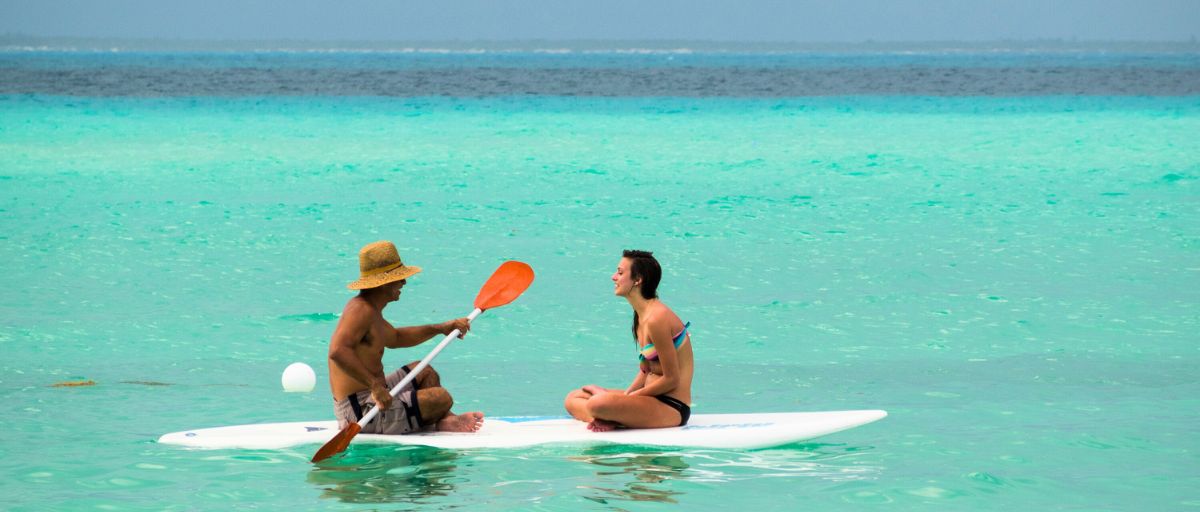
[419,478]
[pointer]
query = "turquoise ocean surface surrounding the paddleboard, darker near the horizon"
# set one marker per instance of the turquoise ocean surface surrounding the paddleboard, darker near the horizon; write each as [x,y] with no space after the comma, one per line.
[1001,249]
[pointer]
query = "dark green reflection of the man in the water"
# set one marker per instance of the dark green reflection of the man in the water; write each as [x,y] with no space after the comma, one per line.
[369,474]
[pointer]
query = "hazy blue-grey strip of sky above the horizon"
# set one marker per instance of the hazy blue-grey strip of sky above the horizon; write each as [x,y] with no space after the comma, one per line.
[748,21]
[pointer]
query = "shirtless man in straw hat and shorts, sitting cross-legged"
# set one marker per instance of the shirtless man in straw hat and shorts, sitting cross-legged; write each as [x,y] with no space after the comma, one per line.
[356,357]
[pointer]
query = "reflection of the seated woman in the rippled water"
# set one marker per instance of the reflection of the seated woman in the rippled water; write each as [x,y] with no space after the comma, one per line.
[646,474]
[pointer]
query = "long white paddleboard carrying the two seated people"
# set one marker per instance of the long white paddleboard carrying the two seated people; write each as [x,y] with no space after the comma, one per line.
[710,431]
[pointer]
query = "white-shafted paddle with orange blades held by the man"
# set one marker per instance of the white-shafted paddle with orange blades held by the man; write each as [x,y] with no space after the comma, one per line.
[506,285]
